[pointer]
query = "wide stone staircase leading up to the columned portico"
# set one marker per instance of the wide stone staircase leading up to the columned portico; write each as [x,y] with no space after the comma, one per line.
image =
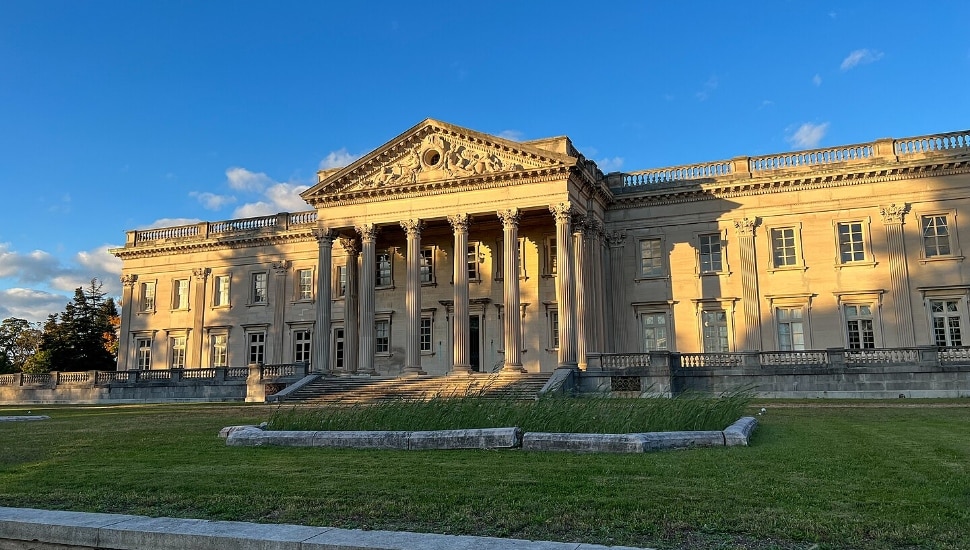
[372,389]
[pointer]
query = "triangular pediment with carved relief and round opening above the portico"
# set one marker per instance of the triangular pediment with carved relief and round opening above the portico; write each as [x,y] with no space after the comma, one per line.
[437,155]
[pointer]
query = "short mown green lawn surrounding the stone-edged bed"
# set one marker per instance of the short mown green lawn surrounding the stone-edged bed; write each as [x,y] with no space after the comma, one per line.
[844,475]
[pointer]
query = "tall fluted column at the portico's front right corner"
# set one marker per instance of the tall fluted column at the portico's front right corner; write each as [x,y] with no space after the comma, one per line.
[565,284]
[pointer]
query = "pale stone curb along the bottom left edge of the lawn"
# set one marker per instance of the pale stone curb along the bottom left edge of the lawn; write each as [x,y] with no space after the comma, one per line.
[125,532]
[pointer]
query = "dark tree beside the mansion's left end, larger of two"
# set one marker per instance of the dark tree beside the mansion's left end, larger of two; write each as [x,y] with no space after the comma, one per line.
[83,337]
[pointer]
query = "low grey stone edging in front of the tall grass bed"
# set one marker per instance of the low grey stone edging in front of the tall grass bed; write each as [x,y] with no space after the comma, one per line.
[493,438]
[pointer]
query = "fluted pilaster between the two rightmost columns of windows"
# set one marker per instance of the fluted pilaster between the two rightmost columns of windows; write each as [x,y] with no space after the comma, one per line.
[892,217]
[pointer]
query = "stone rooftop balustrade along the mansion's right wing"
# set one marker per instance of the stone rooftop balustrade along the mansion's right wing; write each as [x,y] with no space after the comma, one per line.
[886,151]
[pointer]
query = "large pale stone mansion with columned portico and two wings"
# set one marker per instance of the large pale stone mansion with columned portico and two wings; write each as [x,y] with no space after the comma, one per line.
[447,250]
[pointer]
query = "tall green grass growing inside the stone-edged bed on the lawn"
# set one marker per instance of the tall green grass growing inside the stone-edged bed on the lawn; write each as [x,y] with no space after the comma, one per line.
[563,415]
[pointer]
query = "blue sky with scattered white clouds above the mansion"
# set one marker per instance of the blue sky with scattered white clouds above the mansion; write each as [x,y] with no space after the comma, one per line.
[124,115]
